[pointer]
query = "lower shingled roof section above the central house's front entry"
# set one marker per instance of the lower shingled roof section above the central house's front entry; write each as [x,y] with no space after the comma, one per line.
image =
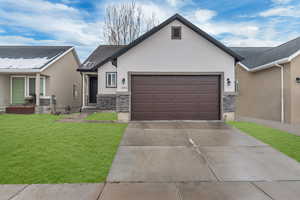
[98,56]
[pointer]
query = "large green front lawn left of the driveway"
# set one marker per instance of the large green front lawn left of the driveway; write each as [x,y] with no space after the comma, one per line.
[37,149]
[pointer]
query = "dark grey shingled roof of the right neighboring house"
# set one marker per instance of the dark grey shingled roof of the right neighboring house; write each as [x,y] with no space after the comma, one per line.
[259,56]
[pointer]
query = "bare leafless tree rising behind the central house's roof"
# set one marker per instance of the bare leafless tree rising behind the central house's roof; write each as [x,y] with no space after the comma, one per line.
[125,22]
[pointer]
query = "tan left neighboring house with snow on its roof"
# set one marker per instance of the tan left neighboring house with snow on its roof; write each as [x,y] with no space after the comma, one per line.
[39,71]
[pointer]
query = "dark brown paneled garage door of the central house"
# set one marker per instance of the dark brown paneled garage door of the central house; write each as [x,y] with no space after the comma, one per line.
[175,97]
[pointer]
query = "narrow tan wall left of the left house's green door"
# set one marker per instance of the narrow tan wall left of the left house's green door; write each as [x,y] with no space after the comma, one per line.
[4,90]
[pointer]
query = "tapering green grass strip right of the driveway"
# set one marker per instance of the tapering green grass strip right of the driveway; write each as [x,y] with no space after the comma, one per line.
[285,142]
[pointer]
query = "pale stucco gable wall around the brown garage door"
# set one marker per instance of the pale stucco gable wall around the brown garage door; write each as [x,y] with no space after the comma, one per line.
[159,53]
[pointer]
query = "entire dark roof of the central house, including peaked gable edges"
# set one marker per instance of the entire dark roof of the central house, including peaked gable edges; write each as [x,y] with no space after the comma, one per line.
[120,50]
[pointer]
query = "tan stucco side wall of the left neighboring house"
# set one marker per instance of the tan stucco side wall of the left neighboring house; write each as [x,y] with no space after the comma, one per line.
[62,76]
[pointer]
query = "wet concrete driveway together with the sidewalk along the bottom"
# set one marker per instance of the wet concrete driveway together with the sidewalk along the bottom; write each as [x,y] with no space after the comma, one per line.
[182,161]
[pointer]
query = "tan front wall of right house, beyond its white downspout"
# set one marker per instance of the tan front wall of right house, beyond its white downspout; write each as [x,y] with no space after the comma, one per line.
[295,91]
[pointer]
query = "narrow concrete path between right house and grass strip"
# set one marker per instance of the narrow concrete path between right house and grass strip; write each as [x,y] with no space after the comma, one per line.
[291,128]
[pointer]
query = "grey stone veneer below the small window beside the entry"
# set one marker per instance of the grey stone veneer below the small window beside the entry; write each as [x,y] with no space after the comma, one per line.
[106,101]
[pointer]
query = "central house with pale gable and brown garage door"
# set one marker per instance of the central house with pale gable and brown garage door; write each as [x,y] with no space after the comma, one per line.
[175,71]
